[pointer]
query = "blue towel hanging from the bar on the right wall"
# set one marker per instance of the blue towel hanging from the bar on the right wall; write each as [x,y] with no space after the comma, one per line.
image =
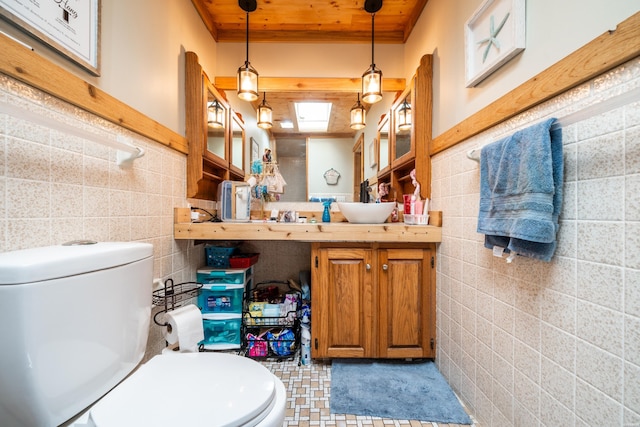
[521,180]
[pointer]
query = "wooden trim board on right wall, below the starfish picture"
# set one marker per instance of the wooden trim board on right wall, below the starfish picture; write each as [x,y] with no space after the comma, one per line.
[605,52]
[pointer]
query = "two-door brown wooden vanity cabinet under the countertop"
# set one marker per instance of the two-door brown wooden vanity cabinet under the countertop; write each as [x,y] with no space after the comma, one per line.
[373,300]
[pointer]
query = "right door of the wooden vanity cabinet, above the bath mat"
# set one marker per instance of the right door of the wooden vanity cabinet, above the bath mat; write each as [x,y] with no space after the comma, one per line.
[406,303]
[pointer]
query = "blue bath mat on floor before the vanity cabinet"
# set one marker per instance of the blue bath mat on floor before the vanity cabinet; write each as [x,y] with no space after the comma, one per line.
[394,389]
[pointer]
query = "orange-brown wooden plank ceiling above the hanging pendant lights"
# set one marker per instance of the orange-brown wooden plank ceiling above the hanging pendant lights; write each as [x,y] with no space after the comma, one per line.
[312,21]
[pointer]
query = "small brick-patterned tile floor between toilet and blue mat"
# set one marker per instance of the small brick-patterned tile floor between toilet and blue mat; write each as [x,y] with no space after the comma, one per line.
[308,389]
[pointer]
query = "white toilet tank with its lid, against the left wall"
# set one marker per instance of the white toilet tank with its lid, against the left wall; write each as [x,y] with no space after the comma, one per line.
[74,321]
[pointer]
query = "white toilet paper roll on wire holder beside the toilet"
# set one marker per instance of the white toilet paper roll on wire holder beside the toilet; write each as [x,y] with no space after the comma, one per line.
[184,327]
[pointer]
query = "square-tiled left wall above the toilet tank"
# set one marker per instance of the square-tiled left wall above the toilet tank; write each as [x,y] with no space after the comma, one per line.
[56,187]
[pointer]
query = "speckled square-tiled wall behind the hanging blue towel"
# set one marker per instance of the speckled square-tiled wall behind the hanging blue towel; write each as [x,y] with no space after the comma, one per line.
[549,344]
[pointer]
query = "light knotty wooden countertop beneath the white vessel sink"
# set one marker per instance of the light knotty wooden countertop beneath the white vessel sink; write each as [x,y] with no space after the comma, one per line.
[308,232]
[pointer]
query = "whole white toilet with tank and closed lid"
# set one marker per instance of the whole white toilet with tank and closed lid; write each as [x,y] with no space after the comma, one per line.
[74,324]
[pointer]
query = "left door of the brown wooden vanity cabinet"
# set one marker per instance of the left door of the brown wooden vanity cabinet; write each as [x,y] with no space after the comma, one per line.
[342,303]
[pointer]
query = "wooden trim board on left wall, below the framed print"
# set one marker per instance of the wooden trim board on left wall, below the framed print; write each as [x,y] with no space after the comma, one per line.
[30,68]
